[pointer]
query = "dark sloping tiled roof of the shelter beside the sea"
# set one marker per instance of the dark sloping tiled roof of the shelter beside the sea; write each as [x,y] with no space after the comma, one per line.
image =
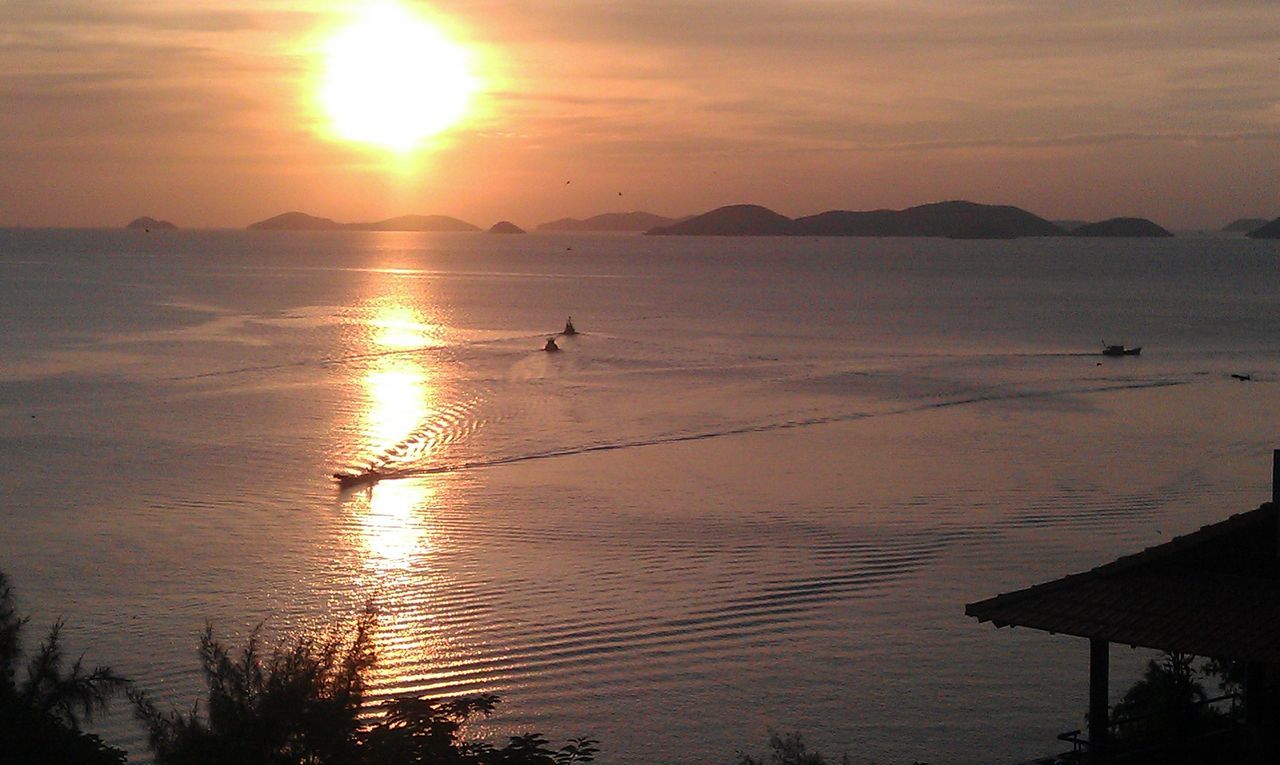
[1212,593]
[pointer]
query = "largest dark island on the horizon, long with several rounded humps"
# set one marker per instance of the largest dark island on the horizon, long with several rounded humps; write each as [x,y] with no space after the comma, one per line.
[957,219]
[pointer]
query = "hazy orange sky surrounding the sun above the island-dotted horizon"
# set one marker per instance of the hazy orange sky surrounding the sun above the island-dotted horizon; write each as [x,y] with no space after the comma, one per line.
[204,112]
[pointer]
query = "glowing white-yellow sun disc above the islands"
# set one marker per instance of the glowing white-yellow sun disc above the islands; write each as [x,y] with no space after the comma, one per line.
[394,80]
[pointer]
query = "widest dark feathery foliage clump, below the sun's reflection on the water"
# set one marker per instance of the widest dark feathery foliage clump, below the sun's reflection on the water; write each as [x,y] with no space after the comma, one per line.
[303,703]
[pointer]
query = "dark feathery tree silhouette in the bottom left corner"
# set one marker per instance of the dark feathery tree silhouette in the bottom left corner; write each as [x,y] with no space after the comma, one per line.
[40,716]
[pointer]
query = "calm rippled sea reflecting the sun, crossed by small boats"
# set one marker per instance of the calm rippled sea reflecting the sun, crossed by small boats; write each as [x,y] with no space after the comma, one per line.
[755,494]
